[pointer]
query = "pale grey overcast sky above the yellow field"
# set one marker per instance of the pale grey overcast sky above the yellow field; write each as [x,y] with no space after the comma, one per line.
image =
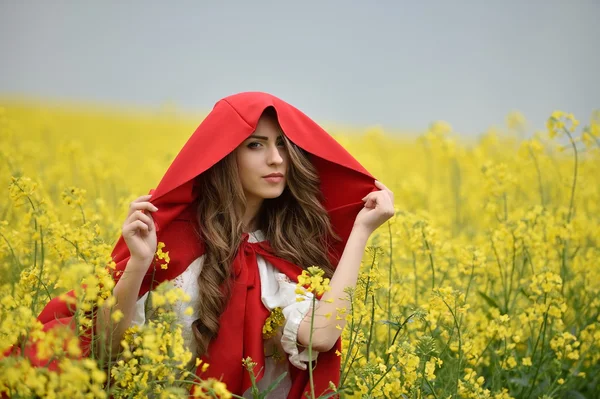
[401,64]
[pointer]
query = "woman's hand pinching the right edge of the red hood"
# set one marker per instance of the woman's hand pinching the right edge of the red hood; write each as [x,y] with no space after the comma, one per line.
[378,207]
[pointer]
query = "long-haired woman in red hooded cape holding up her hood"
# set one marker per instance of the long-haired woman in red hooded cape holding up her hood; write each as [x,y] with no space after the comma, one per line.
[257,194]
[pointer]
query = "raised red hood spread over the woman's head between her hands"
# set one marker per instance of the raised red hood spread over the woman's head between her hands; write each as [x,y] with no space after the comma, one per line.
[344,182]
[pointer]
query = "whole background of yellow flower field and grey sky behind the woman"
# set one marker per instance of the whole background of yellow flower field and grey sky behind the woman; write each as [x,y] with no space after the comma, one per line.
[486,282]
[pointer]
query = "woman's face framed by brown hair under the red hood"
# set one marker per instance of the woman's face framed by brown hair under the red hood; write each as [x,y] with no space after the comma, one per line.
[261,155]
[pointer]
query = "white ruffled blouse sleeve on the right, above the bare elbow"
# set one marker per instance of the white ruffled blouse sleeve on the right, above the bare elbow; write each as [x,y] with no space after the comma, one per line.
[278,291]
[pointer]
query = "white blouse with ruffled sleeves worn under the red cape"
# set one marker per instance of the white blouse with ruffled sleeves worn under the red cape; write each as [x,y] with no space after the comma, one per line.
[277,290]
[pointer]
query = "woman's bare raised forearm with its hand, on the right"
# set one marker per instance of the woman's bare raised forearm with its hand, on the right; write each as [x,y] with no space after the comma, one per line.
[378,207]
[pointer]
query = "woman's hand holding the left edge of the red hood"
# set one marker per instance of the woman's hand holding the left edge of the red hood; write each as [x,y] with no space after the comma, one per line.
[139,232]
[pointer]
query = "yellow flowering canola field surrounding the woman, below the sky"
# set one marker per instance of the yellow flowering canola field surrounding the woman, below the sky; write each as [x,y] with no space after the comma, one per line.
[485,284]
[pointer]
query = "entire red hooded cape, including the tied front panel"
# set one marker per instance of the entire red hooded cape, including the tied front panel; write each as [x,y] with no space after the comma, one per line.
[344,182]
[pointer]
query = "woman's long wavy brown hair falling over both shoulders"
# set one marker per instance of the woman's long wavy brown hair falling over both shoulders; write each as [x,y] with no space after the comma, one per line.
[296,216]
